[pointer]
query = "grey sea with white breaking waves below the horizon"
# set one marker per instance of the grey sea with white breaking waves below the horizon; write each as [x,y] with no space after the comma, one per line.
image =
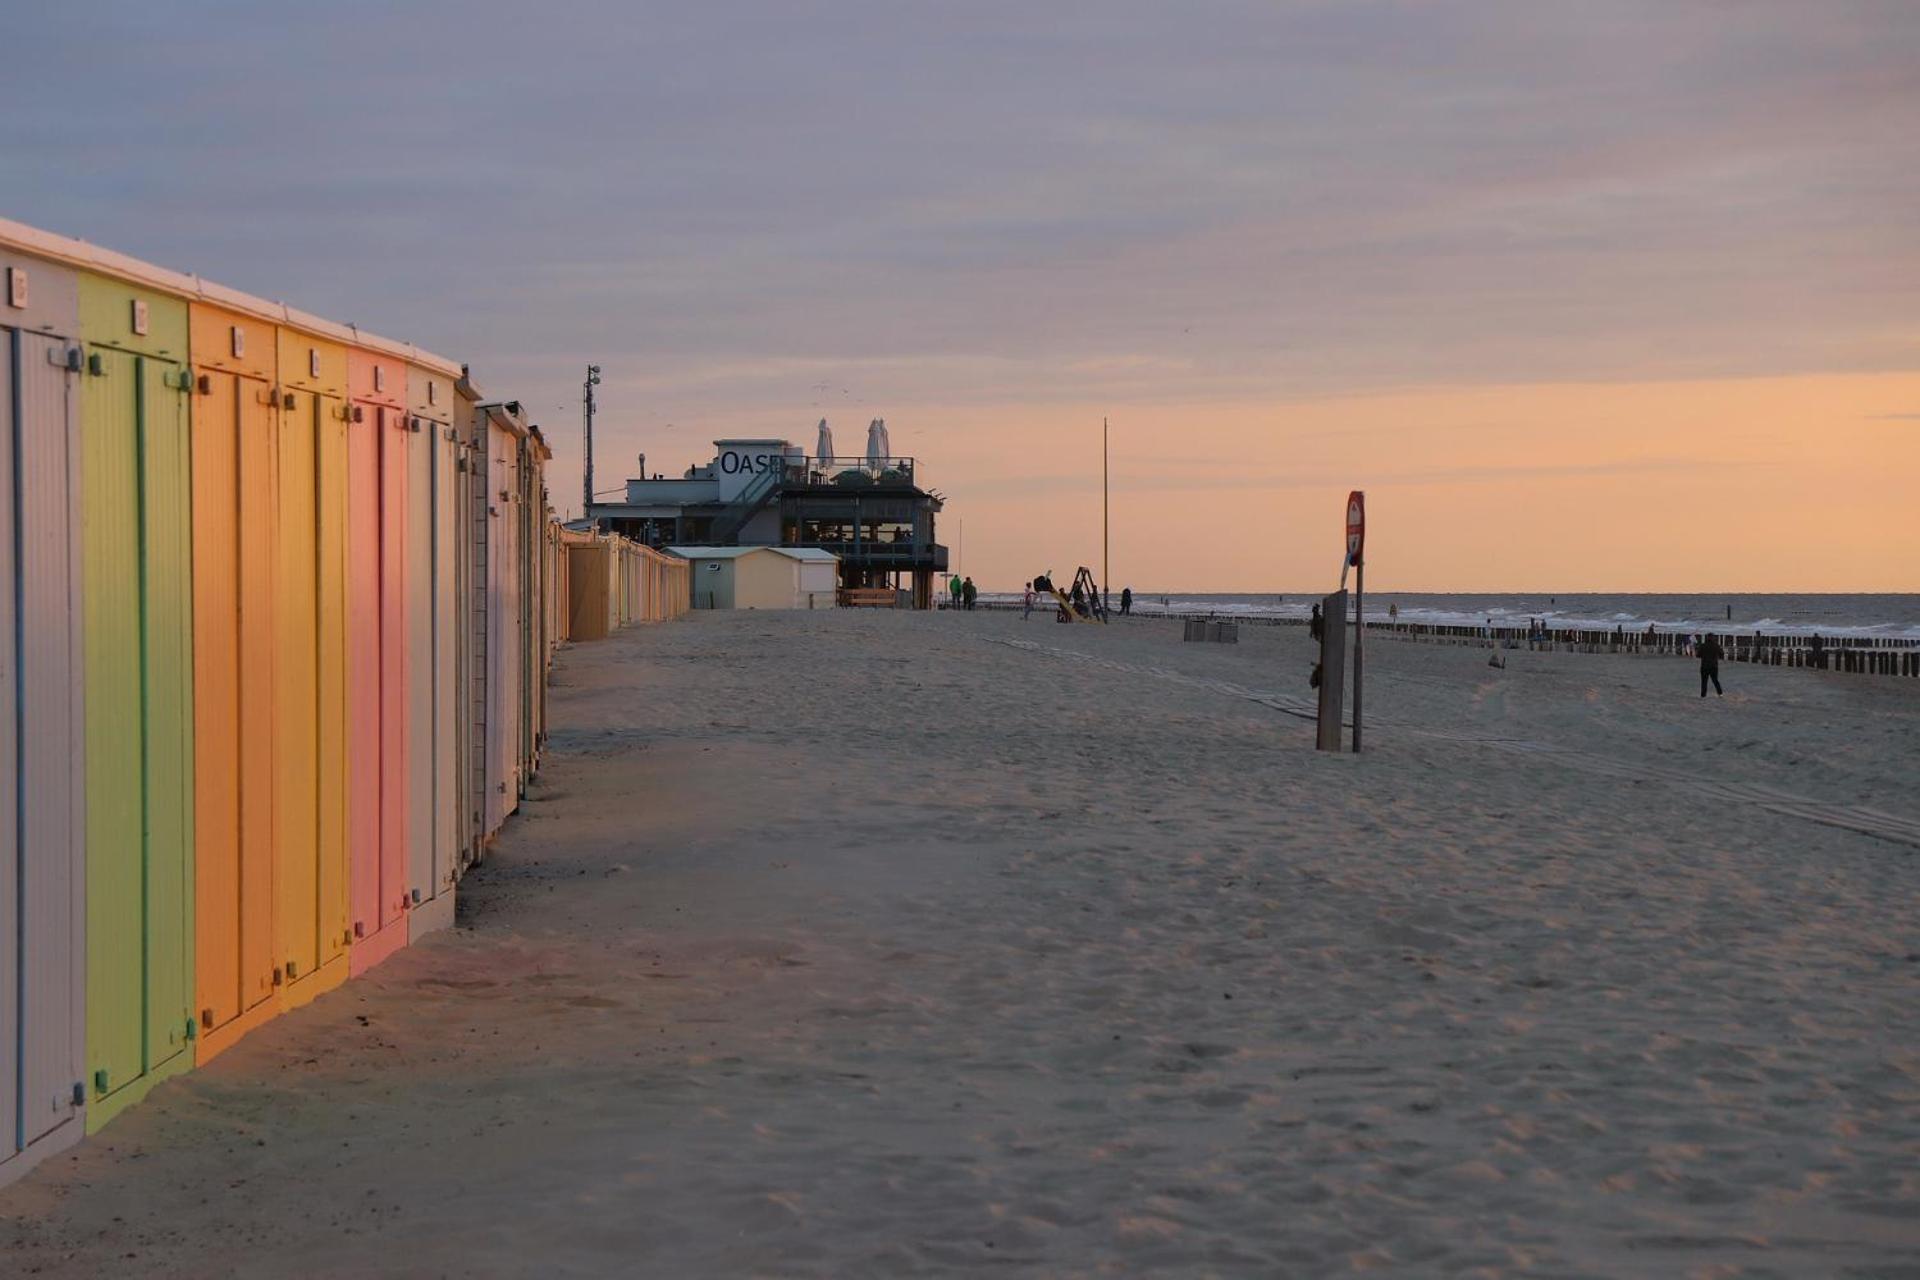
[1890,617]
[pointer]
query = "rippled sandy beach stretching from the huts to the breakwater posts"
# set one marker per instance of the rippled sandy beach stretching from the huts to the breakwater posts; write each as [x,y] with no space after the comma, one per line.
[903,945]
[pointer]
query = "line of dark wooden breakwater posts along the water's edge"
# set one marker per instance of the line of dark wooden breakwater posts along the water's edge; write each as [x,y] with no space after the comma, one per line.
[1852,655]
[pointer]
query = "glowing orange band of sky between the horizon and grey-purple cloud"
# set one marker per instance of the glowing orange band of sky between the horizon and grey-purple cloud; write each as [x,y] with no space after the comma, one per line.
[1762,485]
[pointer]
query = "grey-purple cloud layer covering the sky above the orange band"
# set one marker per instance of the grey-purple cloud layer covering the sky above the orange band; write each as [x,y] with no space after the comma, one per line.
[1116,201]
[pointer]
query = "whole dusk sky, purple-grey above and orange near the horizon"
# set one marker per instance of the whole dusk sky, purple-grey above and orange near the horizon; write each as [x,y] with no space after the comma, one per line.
[1604,296]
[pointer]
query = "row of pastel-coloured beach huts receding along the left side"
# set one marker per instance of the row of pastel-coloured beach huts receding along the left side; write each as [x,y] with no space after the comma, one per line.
[279,609]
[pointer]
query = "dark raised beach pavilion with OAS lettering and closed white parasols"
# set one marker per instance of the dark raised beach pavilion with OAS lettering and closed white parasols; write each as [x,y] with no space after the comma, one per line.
[869,513]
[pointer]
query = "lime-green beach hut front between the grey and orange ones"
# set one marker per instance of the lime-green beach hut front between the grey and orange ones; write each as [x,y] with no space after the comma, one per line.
[139,699]
